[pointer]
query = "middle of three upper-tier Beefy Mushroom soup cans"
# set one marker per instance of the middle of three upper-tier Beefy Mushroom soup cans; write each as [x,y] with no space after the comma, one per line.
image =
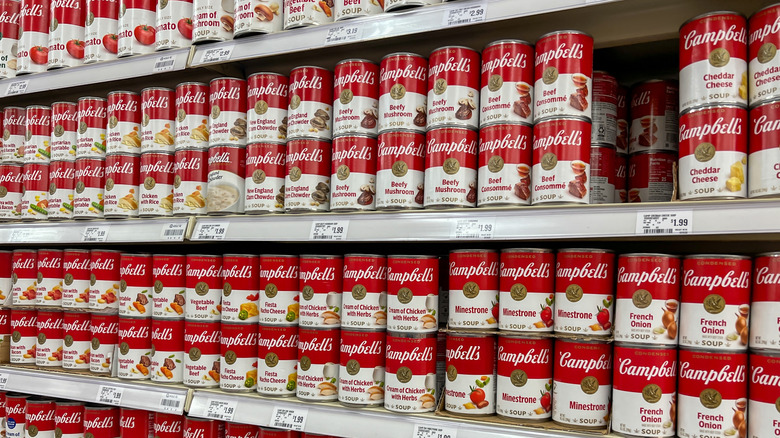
[403,91]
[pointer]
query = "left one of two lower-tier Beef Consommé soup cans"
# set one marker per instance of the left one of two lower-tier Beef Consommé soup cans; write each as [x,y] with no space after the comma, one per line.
[505,165]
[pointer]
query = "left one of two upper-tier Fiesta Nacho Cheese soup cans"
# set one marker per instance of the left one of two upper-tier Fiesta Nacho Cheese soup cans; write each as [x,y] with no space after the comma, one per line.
[240,288]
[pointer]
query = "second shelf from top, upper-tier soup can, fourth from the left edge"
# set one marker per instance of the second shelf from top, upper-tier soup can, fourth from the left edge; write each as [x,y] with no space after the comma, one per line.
[91,116]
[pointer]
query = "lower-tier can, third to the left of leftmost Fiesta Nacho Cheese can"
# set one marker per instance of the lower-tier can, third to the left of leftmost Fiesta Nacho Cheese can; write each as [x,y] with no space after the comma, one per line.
[134,348]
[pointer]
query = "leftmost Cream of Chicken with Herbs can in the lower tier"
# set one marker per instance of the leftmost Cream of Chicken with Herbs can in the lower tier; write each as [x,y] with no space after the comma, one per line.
[318,364]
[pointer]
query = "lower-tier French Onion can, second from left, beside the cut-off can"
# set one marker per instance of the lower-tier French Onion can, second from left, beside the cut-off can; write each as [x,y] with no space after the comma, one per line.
[712,394]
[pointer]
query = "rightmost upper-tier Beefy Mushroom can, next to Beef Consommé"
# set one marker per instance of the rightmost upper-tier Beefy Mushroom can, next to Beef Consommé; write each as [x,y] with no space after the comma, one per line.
[453,88]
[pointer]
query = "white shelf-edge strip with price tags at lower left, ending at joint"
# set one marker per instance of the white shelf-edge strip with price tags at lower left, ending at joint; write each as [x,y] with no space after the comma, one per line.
[87,388]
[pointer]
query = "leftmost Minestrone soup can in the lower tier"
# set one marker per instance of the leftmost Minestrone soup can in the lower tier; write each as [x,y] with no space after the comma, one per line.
[470,361]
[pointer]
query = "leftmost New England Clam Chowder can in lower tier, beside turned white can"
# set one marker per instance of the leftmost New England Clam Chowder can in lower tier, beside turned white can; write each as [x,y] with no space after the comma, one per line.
[264,178]
